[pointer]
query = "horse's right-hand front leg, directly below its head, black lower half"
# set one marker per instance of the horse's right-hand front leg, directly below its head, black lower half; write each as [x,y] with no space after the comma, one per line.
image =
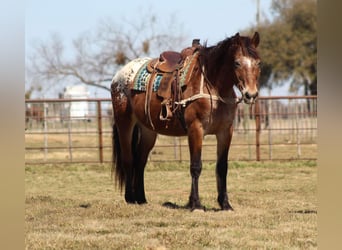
[223,144]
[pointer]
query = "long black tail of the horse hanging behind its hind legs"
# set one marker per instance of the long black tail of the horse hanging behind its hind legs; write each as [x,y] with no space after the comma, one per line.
[118,168]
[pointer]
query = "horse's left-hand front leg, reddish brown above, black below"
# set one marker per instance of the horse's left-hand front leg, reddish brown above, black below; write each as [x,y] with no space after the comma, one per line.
[195,137]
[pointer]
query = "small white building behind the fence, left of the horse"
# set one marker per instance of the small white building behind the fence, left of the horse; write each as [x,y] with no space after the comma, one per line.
[77,109]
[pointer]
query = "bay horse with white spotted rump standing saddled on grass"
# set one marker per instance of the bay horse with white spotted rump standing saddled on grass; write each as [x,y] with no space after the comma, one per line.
[206,104]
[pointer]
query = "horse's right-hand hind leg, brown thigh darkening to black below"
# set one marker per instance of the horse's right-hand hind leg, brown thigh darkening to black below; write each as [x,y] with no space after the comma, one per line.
[146,142]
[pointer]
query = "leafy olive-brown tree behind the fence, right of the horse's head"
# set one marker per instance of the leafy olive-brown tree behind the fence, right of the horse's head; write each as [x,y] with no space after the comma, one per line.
[289,46]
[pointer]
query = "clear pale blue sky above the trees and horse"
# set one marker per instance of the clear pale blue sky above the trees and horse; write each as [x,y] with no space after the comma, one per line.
[211,21]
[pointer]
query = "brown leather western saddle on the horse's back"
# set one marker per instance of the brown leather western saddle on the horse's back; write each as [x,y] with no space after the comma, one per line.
[168,66]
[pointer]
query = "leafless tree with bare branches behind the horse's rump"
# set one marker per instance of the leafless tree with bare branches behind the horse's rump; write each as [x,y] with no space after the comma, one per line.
[97,55]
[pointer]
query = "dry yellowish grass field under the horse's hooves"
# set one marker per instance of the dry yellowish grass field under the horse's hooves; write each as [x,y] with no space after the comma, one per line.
[77,207]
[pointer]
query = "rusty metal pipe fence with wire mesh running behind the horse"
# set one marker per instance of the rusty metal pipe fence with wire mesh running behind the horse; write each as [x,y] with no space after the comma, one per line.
[79,131]
